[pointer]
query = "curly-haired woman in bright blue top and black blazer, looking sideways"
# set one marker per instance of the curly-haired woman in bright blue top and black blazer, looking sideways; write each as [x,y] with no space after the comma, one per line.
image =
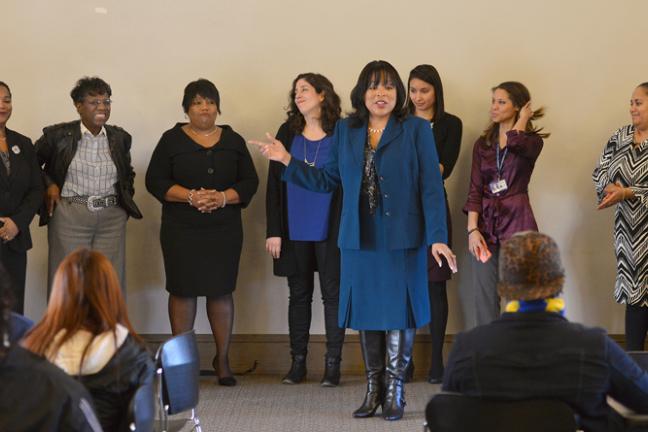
[307,241]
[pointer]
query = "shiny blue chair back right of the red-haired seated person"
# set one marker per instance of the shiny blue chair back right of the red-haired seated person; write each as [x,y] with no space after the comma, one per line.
[180,364]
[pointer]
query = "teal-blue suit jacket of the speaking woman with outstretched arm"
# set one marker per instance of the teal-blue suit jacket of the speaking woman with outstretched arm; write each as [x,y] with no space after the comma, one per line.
[409,180]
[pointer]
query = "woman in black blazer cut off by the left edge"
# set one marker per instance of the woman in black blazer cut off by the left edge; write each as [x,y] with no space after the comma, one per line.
[21,192]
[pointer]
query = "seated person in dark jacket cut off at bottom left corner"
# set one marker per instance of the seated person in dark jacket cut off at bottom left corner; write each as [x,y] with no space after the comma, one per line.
[35,395]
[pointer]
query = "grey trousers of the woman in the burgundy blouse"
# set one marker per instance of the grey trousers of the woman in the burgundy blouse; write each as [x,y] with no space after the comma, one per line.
[484,284]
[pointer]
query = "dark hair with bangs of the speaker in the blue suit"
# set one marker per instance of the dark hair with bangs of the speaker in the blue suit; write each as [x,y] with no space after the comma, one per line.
[376,72]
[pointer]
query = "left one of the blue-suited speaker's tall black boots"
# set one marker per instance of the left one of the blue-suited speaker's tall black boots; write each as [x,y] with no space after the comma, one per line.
[373,353]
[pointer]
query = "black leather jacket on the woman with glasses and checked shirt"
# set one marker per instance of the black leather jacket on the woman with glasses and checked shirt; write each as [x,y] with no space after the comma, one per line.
[57,147]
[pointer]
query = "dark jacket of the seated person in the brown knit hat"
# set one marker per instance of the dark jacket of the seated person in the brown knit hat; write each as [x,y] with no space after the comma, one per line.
[542,355]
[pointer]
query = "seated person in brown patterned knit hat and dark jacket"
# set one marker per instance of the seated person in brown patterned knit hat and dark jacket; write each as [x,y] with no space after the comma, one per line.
[532,351]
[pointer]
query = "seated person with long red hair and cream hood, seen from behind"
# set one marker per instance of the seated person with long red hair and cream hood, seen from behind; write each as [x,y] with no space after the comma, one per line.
[87,333]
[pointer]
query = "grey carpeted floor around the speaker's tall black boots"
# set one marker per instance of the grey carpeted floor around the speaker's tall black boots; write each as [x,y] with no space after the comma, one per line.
[261,403]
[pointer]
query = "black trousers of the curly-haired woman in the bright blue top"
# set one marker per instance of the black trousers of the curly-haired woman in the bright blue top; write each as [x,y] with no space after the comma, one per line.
[309,256]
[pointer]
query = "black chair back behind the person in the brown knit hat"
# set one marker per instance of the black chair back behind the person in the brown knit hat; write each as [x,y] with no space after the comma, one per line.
[452,412]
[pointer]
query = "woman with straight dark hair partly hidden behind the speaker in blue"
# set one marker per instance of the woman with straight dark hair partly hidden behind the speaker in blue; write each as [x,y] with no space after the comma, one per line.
[426,101]
